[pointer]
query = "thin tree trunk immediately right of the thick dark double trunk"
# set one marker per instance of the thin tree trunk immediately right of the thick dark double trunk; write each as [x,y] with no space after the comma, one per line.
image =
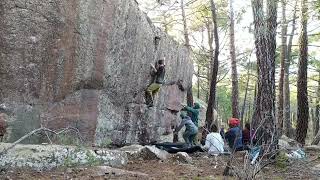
[283,57]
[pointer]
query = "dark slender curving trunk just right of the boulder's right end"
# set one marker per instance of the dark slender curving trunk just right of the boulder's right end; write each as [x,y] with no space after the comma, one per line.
[212,96]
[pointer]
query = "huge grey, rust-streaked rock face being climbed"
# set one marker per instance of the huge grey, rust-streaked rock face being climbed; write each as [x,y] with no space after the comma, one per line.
[86,64]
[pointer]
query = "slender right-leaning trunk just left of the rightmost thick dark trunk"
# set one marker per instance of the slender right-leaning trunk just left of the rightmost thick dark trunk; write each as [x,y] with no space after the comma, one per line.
[287,126]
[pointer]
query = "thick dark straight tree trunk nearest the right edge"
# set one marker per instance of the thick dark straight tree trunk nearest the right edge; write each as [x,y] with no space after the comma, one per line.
[302,93]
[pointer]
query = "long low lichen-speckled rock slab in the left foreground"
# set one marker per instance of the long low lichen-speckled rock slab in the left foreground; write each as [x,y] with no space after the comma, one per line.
[40,157]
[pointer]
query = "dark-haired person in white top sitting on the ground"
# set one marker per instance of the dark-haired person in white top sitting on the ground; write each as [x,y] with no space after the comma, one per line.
[214,142]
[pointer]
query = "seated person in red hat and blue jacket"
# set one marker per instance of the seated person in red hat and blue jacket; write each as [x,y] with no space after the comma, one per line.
[234,135]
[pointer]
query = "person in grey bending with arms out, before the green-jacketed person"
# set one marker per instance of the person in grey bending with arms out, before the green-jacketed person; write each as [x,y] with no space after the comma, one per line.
[191,129]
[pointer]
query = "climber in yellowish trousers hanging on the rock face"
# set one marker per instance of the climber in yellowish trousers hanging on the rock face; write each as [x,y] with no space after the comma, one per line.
[158,73]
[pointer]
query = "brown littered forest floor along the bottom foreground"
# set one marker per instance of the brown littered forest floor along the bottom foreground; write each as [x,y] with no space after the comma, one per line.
[202,167]
